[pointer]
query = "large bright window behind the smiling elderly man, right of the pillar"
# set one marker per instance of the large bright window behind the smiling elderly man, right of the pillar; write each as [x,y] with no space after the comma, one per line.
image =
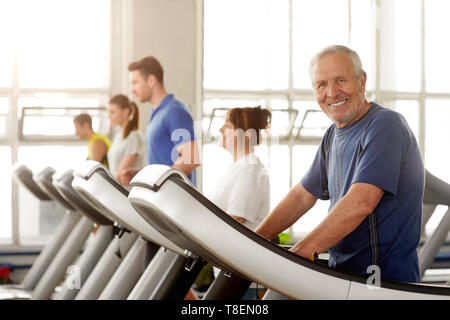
[257,53]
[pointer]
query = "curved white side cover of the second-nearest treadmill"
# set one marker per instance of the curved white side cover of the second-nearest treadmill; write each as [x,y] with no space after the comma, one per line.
[94,182]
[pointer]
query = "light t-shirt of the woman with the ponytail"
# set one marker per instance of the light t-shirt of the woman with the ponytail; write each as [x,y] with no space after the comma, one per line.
[133,144]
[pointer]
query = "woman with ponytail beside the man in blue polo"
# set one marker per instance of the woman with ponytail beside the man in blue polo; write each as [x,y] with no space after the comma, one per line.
[128,147]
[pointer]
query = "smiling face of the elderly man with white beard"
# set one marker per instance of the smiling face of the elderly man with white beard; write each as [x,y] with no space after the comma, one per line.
[338,91]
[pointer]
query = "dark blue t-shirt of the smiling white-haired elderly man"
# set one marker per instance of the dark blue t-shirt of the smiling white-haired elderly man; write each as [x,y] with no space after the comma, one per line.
[381,150]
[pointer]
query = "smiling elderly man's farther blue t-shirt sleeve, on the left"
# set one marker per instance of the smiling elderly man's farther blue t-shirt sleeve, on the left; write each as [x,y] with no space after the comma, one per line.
[315,180]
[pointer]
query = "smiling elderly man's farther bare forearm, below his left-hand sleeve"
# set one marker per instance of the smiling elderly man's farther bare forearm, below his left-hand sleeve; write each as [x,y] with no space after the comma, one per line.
[296,203]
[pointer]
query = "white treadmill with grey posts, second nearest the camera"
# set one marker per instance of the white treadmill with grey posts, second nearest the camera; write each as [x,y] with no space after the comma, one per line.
[168,275]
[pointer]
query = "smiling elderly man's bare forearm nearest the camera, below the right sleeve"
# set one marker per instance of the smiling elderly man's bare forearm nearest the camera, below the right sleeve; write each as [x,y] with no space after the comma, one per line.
[360,201]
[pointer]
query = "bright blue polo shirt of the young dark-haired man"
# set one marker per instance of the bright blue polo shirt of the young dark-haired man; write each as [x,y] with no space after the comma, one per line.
[170,125]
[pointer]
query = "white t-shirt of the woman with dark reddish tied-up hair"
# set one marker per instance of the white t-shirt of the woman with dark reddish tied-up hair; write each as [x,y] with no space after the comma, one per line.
[244,190]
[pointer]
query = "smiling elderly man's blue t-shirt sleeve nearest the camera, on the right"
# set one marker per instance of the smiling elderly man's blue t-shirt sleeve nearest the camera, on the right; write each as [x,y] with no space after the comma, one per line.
[380,157]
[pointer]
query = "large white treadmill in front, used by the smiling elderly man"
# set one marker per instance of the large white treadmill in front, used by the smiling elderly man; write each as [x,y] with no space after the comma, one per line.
[208,232]
